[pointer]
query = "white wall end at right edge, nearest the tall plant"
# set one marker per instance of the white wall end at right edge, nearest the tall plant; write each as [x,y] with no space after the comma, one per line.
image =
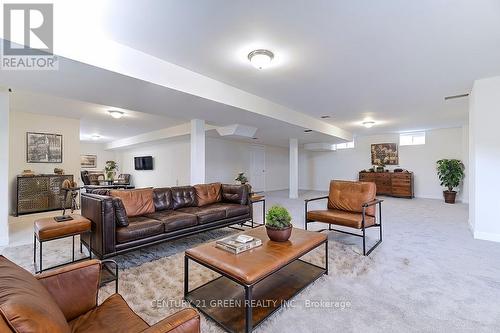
[484,116]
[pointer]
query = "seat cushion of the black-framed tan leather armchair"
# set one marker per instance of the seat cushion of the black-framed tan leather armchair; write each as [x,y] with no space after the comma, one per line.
[340,217]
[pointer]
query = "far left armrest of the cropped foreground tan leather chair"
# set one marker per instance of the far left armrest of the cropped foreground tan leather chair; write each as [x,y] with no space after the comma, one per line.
[73,287]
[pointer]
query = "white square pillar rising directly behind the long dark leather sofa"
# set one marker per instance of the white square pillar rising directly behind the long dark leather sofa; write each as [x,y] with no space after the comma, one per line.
[197,151]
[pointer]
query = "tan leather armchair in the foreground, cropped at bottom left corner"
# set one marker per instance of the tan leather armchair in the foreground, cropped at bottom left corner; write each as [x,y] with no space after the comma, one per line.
[65,300]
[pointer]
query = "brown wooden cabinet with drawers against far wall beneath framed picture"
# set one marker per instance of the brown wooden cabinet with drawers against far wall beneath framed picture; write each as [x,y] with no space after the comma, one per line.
[396,184]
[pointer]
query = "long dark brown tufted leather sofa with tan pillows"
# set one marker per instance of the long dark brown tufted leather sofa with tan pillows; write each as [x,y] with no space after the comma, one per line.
[172,213]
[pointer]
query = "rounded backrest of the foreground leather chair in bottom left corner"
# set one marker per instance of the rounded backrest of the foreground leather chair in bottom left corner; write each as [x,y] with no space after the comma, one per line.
[25,303]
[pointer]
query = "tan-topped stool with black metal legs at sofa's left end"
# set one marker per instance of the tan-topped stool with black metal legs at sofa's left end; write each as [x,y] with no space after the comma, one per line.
[47,229]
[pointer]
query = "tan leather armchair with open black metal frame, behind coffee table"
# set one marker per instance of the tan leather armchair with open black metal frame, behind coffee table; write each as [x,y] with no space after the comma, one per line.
[350,204]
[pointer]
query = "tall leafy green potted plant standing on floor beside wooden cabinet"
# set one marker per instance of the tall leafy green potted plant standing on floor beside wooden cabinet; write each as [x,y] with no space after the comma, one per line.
[451,174]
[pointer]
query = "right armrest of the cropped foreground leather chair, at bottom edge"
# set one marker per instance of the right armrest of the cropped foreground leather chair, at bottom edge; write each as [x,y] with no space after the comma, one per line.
[184,321]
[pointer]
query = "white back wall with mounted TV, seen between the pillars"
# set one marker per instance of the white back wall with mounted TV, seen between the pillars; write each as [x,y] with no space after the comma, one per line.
[224,159]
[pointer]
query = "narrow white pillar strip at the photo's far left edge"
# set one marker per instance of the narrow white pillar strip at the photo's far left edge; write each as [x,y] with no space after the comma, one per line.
[4,167]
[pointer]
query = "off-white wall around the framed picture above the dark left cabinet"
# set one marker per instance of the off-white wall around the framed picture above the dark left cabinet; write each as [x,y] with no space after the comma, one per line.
[22,122]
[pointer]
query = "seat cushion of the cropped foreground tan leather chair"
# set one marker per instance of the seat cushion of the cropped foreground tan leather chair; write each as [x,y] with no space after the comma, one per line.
[112,316]
